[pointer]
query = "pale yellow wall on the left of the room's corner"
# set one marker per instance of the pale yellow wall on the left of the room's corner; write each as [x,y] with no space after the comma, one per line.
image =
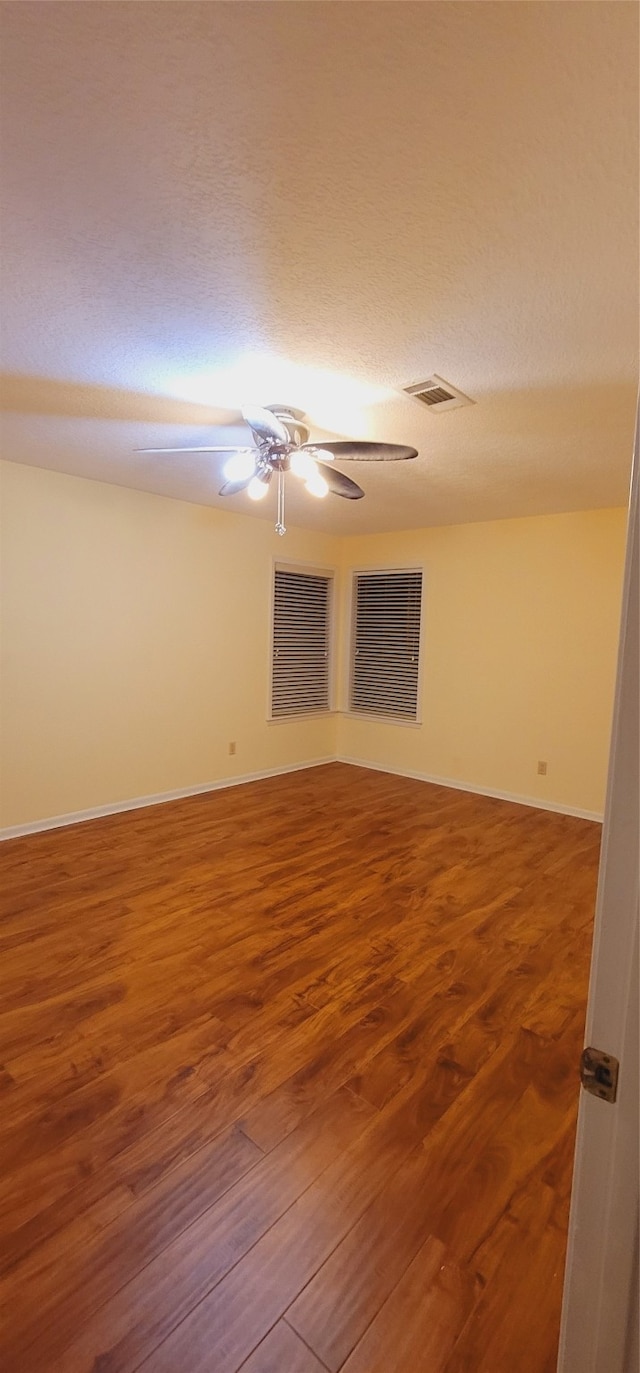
[135,646]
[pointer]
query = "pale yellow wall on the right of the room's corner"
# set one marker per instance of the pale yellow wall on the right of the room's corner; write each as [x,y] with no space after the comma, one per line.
[521,630]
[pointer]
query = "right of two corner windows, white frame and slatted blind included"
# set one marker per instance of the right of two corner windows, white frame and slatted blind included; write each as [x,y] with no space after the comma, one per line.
[387,645]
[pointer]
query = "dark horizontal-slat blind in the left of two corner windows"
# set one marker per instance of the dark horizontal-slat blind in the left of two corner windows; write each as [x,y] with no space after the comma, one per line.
[301,643]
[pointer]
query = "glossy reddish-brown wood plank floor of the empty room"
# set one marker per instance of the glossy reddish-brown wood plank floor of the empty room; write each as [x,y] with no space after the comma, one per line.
[289,1081]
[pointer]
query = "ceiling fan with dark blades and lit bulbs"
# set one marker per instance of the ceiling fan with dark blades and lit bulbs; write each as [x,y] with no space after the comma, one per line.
[281,446]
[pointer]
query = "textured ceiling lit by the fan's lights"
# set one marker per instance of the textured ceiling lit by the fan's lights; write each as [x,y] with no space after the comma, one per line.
[205,203]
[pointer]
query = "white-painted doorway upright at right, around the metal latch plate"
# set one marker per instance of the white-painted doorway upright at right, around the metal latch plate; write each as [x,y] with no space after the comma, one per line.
[601,1308]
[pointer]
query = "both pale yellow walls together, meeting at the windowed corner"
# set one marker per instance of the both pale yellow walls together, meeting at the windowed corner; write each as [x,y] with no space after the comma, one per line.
[135,647]
